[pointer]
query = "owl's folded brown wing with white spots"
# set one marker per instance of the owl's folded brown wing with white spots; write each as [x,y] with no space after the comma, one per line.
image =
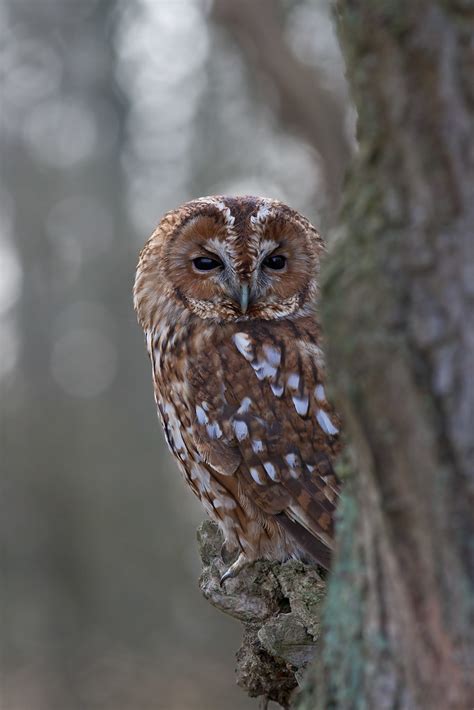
[262,418]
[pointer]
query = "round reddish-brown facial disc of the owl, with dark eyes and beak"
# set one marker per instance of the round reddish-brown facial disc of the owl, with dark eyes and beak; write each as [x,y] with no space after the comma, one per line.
[260,262]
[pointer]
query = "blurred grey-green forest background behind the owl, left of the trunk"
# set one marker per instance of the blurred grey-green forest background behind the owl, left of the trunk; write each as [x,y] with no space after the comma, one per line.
[112,113]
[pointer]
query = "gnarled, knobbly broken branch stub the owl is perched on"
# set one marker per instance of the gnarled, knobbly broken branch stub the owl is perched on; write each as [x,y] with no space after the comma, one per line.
[279,606]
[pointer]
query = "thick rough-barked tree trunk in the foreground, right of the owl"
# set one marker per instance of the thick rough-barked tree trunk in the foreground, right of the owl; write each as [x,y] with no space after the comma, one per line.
[398,312]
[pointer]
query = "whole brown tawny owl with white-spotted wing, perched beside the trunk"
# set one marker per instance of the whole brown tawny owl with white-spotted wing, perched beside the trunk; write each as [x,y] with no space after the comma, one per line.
[226,293]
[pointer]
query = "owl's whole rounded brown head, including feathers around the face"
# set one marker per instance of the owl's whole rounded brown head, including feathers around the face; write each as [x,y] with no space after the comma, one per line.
[227,259]
